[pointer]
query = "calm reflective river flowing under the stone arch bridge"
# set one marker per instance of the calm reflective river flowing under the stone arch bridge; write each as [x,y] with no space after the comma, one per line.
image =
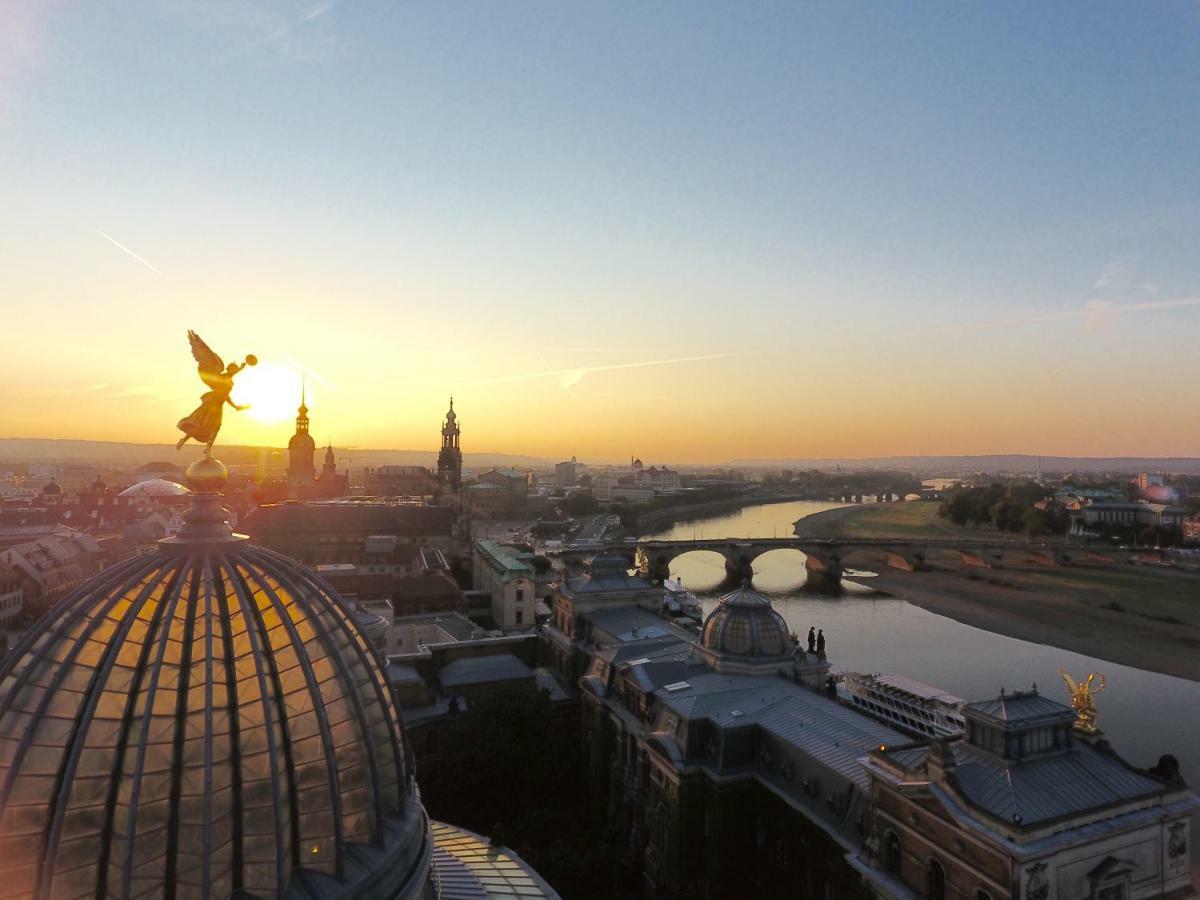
[1144,715]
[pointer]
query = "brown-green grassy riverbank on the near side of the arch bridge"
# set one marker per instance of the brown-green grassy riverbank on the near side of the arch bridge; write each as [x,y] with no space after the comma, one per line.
[1133,616]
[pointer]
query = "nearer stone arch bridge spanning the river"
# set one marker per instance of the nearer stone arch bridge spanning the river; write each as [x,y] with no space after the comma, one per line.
[826,560]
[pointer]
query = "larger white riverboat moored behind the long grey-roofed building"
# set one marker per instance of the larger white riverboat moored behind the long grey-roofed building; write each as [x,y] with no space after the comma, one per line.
[905,704]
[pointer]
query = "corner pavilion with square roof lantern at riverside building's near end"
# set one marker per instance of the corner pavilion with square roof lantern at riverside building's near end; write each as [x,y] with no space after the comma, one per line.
[1024,807]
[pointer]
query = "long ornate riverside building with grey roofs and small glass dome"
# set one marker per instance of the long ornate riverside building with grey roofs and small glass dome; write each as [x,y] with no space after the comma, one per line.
[727,769]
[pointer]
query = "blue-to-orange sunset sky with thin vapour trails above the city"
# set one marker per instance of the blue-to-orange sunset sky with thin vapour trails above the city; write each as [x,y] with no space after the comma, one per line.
[842,232]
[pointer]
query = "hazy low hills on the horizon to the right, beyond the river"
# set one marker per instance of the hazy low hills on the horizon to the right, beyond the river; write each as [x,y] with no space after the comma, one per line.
[995,464]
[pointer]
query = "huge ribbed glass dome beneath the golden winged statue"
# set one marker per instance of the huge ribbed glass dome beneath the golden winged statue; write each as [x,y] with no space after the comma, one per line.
[205,722]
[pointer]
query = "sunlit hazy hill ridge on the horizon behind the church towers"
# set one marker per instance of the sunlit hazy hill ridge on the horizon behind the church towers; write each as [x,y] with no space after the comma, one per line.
[119,454]
